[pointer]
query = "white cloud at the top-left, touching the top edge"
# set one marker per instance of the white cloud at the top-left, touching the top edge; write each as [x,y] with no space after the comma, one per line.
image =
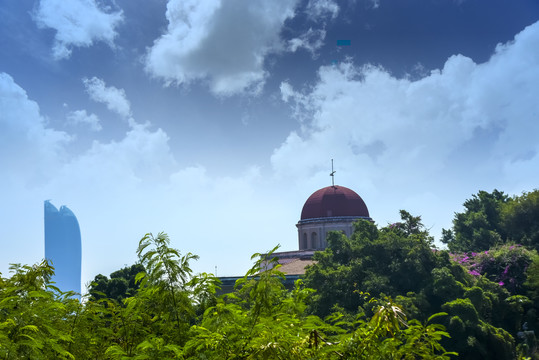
[78,23]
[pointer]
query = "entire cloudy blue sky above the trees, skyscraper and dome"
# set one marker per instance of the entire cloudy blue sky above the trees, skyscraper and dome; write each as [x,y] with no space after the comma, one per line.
[214,121]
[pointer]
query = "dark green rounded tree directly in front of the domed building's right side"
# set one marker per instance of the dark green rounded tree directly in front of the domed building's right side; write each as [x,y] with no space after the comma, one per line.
[392,261]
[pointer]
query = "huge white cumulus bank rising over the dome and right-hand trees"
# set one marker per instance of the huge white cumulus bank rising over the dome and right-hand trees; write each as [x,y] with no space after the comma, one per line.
[465,127]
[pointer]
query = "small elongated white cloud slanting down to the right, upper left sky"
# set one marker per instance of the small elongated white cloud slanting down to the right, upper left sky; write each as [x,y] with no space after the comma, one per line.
[114,98]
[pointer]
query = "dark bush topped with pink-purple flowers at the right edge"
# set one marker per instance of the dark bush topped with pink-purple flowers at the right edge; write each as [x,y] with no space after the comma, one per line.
[505,265]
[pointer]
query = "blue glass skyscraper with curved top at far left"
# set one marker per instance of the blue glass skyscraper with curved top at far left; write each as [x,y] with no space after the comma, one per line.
[63,246]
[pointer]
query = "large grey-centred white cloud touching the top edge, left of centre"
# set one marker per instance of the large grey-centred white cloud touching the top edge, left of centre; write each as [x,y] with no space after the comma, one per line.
[205,41]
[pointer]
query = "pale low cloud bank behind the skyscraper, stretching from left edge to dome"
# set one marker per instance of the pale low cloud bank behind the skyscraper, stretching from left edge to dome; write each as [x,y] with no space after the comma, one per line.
[123,188]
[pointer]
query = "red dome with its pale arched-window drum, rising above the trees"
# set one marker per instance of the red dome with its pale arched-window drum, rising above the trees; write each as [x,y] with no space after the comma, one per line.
[333,208]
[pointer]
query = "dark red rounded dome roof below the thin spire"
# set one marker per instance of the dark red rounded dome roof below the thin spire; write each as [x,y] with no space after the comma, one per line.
[333,201]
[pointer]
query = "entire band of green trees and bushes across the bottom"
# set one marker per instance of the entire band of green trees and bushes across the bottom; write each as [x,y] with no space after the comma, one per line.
[383,293]
